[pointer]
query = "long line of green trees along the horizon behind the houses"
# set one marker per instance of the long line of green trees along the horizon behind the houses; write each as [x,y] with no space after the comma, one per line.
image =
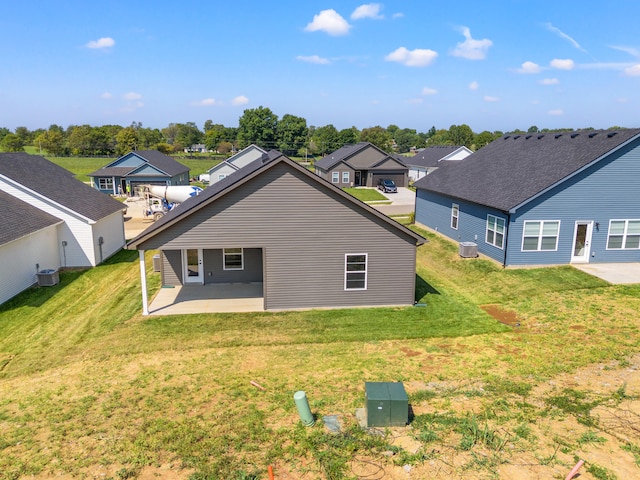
[260,126]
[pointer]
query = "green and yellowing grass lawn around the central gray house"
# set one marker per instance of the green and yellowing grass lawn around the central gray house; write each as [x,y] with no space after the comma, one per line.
[89,387]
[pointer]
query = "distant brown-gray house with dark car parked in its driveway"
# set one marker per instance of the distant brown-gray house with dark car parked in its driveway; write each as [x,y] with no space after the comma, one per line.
[361,165]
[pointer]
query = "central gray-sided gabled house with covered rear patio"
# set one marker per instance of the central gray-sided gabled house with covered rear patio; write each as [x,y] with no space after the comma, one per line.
[256,226]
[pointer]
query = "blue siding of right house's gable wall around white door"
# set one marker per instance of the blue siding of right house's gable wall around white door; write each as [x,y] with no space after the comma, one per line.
[607,190]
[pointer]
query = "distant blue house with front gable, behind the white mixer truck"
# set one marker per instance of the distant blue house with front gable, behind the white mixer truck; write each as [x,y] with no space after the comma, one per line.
[143,167]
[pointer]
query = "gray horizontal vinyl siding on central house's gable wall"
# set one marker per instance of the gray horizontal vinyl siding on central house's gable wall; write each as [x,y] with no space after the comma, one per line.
[304,235]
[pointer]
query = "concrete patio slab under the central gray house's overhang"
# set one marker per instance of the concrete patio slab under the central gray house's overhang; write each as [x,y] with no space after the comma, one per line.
[209,298]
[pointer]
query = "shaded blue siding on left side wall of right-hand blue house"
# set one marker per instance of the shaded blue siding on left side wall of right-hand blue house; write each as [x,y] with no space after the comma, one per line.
[434,211]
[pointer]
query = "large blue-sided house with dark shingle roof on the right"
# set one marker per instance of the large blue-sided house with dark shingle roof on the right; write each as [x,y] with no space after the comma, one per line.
[541,199]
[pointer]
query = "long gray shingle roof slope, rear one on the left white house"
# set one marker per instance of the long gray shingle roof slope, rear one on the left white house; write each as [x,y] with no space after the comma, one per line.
[57,184]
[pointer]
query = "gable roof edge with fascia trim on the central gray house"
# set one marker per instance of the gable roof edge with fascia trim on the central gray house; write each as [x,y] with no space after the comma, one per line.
[243,175]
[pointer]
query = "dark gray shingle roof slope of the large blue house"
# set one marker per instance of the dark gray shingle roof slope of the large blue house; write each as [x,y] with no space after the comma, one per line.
[515,168]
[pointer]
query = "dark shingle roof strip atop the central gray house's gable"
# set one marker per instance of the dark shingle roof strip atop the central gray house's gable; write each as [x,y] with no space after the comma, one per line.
[235,179]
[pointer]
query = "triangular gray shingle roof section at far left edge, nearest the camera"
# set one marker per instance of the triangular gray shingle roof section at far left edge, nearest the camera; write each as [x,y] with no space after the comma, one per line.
[20,219]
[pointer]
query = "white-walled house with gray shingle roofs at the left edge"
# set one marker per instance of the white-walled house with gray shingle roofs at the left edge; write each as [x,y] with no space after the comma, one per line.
[50,221]
